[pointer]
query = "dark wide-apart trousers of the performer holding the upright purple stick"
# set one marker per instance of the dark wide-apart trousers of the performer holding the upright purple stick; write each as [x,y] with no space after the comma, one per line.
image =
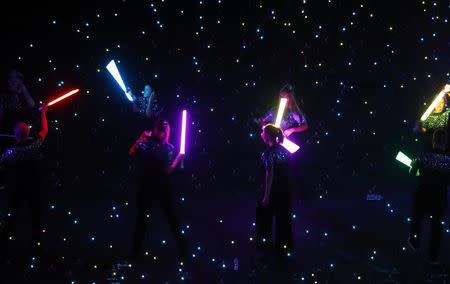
[146,198]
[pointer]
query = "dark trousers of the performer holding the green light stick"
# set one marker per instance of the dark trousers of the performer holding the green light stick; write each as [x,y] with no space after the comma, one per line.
[423,207]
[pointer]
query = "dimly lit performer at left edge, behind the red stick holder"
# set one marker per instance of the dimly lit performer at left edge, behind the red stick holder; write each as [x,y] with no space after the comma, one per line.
[17,104]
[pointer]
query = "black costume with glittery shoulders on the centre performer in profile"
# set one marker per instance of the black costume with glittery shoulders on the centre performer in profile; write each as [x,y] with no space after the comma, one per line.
[276,159]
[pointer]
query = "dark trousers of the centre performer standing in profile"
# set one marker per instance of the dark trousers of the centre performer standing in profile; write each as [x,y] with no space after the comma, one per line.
[279,207]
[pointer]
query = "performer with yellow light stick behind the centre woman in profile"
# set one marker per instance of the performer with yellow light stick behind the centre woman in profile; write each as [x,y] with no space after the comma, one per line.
[294,120]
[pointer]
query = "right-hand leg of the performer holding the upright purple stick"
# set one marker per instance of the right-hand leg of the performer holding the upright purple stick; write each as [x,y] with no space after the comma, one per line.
[167,206]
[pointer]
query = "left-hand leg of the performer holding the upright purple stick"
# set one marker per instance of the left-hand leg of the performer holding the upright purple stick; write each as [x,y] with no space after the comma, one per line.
[144,204]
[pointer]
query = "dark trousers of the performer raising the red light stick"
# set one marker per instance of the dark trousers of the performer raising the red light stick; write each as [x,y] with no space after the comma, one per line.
[31,197]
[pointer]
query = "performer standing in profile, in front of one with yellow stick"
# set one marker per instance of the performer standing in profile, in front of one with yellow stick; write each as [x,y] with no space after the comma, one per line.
[276,198]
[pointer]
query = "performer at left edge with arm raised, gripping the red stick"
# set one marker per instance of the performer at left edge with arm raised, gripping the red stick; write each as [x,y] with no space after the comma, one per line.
[22,163]
